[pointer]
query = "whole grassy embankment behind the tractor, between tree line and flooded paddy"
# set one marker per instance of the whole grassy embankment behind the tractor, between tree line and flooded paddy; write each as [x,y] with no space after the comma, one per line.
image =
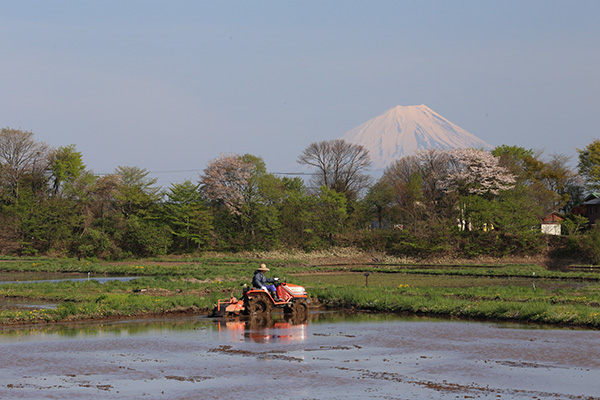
[509,292]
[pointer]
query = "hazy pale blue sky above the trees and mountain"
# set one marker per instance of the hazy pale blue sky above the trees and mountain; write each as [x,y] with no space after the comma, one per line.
[169,85]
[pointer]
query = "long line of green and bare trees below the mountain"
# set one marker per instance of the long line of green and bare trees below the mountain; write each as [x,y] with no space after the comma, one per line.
[436,203]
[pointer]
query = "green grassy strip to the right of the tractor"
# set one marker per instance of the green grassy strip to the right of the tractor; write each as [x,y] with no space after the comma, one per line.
[547,300]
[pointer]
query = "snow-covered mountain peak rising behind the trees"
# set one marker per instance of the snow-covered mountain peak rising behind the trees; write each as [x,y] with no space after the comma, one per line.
[403,130]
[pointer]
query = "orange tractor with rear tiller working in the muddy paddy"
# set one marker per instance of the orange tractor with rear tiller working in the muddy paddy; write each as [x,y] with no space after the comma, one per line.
[292,298]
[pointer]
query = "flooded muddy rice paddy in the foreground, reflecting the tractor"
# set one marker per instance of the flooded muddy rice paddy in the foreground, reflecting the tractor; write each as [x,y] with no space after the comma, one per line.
[329,356]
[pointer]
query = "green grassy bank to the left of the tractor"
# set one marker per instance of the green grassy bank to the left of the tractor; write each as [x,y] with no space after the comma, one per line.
[90,299]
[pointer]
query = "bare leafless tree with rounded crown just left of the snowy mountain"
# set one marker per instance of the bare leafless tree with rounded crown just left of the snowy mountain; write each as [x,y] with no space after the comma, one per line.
[339,165]
